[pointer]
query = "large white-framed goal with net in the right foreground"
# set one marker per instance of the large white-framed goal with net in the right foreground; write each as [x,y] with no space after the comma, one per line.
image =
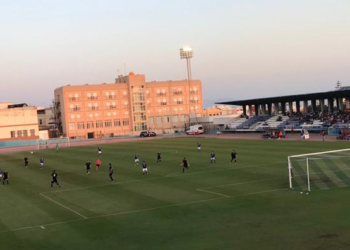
[321,170]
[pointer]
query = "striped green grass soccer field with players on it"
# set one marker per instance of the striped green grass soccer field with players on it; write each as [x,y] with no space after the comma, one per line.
[247,205]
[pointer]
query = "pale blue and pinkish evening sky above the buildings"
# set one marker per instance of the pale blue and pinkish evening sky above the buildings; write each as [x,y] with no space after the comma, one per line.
[242,48]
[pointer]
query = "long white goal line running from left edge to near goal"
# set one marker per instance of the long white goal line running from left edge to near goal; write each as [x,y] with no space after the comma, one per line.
[143,210]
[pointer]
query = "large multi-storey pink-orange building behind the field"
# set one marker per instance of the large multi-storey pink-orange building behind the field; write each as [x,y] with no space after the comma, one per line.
[127,107]
